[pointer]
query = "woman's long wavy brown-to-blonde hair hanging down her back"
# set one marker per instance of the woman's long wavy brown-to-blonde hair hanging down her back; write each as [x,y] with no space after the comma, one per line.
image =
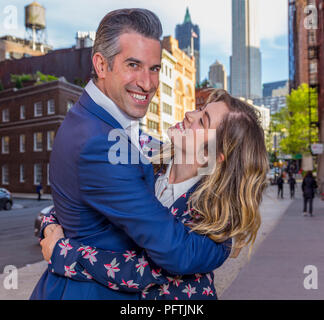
[227,201]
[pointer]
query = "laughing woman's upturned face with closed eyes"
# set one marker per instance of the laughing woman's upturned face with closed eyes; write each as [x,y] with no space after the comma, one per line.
[198,127]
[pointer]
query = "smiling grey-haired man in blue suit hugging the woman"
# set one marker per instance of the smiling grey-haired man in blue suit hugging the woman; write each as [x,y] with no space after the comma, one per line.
[112,205]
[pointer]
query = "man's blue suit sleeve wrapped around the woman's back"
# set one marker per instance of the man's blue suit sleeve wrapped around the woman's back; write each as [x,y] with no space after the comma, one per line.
[121,194]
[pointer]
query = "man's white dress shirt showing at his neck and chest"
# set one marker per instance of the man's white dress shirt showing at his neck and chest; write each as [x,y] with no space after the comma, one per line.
[130,125]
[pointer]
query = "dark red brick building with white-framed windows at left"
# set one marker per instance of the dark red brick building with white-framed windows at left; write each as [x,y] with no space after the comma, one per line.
[29,119]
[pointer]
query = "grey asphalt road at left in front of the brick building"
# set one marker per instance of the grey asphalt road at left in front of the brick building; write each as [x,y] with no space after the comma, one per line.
[18,245]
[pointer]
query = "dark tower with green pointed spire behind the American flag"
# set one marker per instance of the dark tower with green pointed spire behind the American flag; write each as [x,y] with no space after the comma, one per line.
[188,36]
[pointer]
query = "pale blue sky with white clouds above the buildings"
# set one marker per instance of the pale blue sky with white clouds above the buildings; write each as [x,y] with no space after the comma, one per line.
[64,18]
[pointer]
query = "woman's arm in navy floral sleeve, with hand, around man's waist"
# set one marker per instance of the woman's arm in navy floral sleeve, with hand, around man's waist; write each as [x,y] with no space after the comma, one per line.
[126,271]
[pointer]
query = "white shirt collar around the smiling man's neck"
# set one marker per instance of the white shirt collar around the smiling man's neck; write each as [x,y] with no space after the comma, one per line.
[107,104]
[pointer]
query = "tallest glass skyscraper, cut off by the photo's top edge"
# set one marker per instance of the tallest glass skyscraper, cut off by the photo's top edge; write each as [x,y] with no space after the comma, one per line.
[246,56]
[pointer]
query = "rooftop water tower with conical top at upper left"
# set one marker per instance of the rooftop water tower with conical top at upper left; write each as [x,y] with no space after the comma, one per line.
[35,23]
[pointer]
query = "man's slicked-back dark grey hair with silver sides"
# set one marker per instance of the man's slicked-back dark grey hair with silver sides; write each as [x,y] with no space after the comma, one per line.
[117,22]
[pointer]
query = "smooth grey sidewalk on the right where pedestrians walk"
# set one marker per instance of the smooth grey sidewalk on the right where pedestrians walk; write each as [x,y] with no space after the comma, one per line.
[276,270]
